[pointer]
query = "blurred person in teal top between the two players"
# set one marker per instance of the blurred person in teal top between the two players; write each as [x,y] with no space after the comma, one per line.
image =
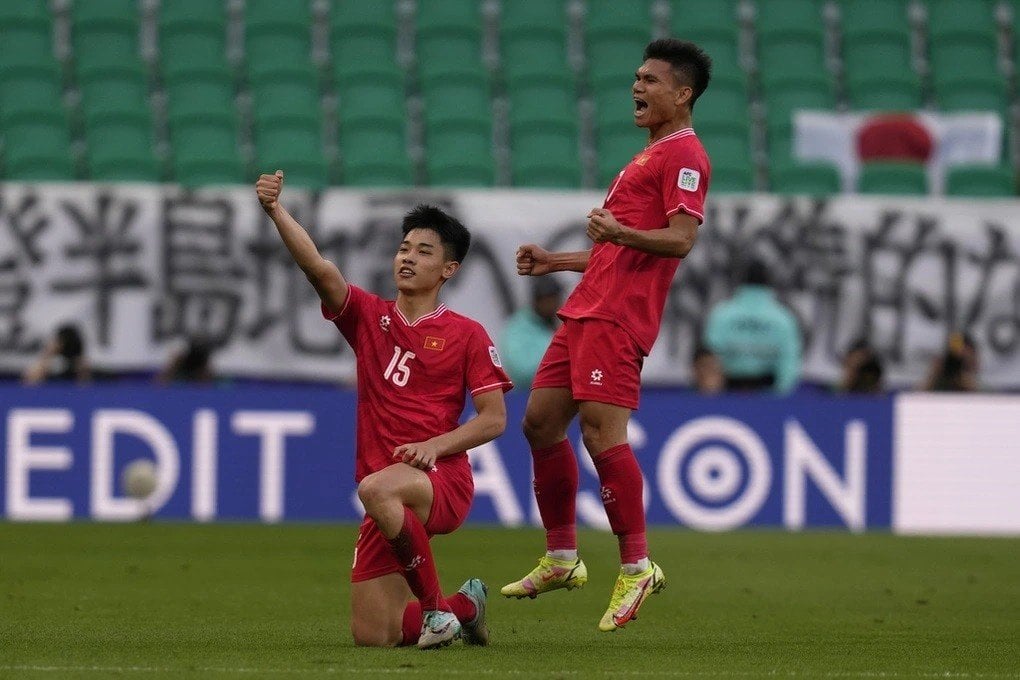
[528,333]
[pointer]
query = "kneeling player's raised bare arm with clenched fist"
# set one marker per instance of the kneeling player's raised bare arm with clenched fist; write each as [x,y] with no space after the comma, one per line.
[323,275]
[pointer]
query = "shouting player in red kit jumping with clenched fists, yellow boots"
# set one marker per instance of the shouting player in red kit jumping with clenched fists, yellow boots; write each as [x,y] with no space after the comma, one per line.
[647,225]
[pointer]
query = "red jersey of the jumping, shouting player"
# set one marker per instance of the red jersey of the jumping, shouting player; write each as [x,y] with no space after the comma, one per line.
[624,285]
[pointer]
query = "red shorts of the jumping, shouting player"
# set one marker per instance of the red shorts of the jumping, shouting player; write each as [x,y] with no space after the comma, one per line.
[597,360]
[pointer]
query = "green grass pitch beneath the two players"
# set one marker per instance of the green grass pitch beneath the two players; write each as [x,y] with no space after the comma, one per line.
[236,601]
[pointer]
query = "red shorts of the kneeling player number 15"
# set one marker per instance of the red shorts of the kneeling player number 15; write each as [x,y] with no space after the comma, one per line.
[453,490]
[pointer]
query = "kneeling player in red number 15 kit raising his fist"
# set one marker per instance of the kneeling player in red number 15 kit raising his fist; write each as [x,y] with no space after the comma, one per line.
[416,361]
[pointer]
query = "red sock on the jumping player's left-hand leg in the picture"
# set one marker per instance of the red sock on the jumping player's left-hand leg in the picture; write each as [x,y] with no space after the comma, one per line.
[556,492]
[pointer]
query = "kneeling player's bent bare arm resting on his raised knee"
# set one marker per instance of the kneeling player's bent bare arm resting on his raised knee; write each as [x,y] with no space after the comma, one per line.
[483,429]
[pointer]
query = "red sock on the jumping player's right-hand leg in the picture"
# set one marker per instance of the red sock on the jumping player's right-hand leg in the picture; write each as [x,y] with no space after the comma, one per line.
[622,495]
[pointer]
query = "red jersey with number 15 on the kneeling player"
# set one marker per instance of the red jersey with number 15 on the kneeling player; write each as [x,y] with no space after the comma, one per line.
[413,378]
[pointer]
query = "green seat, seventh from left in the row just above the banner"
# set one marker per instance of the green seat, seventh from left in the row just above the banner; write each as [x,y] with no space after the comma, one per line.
[544,158]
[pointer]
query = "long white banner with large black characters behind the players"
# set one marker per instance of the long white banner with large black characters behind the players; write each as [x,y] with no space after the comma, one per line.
[141,268]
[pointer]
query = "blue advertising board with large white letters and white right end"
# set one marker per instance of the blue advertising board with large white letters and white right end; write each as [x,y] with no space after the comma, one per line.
[910,463]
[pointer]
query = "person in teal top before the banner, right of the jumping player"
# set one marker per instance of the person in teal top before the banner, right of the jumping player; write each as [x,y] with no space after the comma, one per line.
[755,337]
